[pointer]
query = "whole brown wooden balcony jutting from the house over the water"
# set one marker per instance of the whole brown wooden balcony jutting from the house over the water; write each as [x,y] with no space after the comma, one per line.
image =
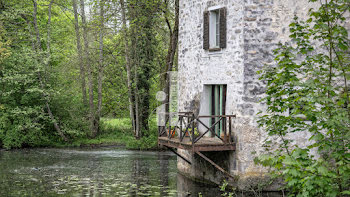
[185,135]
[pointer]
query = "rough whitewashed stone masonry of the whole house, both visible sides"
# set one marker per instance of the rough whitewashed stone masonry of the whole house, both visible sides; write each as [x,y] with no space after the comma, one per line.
[254,27]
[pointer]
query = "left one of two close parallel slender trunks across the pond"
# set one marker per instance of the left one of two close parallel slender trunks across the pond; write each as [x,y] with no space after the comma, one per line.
[80,53]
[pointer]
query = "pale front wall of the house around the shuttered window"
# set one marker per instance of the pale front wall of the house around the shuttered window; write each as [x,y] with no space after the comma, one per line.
[197,66]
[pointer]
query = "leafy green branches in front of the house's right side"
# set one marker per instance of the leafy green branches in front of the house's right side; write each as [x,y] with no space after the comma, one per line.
[308,92]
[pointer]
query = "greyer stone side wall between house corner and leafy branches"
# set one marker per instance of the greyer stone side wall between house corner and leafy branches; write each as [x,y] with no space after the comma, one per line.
[265,24]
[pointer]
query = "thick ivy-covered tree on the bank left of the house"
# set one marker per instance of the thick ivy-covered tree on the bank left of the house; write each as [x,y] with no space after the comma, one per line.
[142,16]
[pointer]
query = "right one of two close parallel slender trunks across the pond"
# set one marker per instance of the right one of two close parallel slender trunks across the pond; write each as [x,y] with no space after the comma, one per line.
[87,62]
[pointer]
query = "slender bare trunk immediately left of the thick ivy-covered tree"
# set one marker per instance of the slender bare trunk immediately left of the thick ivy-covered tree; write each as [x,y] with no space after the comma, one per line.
[128,68]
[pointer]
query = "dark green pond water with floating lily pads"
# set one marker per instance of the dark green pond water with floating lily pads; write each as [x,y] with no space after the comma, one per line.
[94,172]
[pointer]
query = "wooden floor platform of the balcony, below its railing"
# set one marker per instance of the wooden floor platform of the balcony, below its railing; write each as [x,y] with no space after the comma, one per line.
[204,144]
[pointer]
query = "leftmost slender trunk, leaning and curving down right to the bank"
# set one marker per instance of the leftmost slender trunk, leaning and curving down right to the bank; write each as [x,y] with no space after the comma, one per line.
[39,49]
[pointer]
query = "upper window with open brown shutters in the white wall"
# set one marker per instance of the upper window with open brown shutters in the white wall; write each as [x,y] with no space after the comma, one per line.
[214,29]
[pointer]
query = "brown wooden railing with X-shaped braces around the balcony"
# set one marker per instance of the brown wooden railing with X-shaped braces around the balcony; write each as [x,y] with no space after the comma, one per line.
[188,123]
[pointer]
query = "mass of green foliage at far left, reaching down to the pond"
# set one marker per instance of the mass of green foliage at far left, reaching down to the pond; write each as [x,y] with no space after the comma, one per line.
[28,79]
